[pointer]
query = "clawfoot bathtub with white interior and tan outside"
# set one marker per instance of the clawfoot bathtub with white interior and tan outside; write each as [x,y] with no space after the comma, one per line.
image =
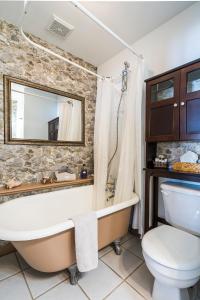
[40,228]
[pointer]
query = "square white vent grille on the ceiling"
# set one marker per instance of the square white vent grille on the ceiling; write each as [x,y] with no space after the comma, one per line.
[60,27]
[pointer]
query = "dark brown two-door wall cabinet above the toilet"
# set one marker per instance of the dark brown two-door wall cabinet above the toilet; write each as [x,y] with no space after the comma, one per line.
[173,105]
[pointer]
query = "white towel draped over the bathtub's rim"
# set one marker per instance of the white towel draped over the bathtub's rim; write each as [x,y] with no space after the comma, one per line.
[86,241]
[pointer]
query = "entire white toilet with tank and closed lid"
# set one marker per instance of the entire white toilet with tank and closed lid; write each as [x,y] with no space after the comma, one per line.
[172,254]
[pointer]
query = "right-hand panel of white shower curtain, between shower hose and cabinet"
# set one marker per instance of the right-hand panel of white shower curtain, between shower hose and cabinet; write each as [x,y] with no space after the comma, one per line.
[129,177]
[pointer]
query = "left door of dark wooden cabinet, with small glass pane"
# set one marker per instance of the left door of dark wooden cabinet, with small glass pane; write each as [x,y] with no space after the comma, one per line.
[162,118]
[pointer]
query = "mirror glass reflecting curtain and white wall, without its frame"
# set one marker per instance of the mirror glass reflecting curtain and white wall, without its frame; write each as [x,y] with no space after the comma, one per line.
[40,115]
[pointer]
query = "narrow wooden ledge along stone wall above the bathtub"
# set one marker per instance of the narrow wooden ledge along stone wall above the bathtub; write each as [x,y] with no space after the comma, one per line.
[30,187]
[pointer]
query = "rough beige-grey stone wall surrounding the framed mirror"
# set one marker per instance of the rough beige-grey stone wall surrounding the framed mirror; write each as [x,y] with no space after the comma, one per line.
[19,59]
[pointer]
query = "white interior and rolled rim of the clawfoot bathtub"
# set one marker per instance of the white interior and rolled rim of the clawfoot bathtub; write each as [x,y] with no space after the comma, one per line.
[43,215]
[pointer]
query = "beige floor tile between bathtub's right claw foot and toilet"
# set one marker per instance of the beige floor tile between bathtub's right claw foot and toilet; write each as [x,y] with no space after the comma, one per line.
[123,264]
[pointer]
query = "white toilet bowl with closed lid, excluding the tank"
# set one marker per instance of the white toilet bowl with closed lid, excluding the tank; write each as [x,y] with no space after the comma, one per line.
[173,258]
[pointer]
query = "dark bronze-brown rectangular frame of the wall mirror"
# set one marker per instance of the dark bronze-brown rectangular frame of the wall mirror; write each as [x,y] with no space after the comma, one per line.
[7,80]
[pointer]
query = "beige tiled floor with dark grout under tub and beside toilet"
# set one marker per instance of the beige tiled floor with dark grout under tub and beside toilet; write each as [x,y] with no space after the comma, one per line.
[123,277]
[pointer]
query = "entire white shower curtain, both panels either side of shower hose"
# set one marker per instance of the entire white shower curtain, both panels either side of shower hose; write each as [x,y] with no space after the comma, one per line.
[130,152]
